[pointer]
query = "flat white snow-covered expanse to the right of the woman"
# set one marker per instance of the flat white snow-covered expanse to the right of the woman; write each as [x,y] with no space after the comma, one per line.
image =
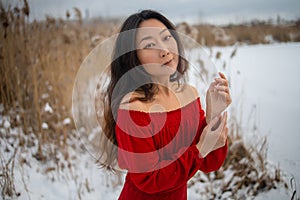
[267,76]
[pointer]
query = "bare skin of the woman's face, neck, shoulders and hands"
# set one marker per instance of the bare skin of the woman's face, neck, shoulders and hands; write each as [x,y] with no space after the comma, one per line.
[158,53]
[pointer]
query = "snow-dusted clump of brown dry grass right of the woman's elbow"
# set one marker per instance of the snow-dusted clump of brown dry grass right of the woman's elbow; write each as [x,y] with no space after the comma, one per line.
[245,173]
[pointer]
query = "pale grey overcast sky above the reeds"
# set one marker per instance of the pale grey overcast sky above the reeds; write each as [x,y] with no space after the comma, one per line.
[214,11]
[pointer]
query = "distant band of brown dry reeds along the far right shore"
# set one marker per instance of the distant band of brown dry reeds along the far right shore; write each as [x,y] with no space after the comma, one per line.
[257,32]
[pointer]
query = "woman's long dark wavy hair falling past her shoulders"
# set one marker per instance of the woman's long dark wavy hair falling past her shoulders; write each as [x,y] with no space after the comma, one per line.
[125,58]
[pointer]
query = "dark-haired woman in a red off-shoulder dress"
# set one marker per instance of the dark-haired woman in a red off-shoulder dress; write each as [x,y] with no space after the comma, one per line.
[154,122]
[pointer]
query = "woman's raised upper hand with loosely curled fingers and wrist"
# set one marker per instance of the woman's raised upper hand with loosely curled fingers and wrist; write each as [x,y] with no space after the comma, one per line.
[217,97]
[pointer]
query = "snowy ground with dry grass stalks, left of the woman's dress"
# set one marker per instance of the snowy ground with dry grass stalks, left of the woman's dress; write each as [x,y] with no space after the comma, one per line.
[70,175]
